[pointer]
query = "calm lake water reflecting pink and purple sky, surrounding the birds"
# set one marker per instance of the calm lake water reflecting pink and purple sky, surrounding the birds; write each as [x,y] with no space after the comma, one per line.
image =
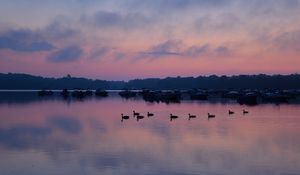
[87,137]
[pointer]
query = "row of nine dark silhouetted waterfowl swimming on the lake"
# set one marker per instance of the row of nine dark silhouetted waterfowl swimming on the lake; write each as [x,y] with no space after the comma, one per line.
[138,116]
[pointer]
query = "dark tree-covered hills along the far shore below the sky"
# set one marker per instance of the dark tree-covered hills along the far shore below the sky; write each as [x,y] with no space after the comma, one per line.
[261,81]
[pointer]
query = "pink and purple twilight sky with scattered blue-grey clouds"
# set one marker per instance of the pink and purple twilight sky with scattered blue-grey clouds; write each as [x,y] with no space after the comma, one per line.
[128,39]
